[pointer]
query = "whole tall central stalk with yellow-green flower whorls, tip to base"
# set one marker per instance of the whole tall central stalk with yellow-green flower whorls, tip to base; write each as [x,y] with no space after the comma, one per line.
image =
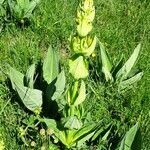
[82,45]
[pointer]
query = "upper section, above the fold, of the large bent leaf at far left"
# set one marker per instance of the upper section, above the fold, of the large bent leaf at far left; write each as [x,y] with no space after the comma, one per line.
[16,77]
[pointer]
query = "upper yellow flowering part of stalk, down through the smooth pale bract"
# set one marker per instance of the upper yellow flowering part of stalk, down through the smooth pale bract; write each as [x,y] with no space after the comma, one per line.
[82,43]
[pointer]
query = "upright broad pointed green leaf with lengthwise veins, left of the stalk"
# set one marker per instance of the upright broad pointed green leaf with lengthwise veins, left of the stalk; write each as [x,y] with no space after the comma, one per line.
[50,66]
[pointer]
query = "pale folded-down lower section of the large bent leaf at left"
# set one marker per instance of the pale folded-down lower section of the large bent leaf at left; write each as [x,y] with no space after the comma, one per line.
[31,98]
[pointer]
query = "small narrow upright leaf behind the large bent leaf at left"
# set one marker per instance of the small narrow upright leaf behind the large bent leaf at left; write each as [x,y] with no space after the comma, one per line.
[30,76]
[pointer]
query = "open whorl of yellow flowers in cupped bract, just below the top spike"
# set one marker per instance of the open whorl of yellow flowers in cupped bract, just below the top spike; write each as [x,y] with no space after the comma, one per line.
[84,46]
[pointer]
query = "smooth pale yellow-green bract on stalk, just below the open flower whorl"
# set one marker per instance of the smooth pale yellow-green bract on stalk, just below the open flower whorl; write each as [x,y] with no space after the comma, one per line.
[78,67]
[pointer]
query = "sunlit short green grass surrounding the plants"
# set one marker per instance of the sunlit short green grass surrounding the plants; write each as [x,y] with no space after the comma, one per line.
[120,25]
